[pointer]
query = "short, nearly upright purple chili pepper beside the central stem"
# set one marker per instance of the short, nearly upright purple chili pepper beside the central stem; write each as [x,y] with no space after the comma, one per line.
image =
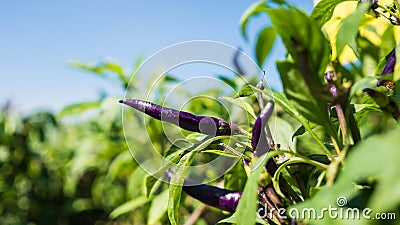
[258,141]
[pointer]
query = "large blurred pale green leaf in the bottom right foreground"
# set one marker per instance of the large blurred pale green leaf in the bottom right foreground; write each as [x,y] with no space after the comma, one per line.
[372,164]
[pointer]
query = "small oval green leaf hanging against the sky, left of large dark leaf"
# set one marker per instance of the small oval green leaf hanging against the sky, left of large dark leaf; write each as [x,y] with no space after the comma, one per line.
[265,41]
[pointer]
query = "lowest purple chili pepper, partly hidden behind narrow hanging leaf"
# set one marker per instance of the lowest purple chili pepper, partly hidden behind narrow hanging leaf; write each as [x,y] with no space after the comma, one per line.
[219,198]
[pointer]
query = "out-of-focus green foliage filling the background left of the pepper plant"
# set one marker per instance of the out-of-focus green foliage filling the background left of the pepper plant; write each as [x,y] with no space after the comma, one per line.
[74,167]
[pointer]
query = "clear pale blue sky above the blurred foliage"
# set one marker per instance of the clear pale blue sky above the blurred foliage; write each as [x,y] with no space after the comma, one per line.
[38,38]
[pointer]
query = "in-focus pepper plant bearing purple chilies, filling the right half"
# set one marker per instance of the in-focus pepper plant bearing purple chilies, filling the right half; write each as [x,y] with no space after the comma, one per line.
[343,150]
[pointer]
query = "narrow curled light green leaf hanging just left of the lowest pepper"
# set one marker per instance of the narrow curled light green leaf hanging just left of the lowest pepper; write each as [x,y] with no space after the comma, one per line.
[175,188]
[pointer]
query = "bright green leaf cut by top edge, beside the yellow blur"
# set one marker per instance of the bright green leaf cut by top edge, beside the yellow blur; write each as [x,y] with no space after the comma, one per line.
[323,11]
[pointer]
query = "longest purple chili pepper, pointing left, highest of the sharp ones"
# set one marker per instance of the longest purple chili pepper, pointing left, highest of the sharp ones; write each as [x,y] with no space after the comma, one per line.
[201,124]
